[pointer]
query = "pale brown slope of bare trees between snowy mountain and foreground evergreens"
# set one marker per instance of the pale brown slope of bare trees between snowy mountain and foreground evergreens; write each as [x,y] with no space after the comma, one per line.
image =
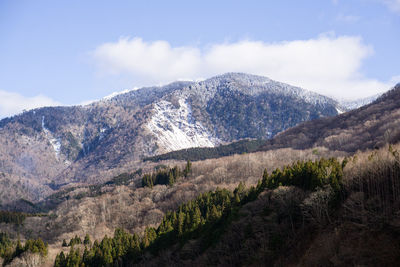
[123,202]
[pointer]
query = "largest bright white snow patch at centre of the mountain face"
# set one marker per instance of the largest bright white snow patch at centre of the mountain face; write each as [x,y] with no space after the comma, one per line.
[176,129]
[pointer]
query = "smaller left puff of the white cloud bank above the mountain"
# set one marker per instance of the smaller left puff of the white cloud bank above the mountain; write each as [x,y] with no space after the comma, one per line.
[149,60]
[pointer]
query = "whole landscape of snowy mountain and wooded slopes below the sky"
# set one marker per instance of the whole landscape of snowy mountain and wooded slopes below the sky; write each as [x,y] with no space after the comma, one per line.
[77,171]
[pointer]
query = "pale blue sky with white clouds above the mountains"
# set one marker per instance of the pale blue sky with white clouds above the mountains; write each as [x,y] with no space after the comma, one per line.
[73,52]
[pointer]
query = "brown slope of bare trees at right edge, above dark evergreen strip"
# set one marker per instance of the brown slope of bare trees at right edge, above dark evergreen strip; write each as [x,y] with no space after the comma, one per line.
[368,127]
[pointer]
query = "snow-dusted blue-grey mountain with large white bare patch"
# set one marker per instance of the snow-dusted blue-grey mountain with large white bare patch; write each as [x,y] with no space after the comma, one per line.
[45,148]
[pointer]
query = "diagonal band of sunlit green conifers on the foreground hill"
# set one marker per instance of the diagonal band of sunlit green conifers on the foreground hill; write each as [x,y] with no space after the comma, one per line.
[204,218]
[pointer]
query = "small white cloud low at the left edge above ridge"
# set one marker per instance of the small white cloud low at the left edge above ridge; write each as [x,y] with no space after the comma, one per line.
[14,103]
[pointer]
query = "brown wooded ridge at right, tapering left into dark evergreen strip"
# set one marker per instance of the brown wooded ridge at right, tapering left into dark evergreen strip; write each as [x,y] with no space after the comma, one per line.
[370,126]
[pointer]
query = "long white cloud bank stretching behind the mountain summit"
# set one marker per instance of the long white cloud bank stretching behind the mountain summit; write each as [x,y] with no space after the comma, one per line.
[327,64]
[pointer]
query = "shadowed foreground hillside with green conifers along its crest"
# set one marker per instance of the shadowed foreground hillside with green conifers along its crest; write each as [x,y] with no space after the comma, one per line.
[281,220]
